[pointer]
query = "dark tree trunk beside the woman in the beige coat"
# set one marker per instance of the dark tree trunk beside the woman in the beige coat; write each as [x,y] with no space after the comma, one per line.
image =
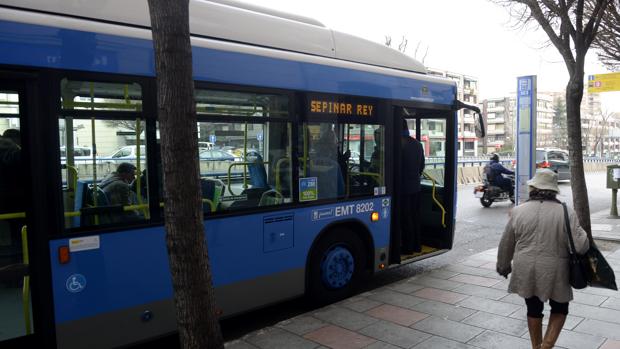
[574,95]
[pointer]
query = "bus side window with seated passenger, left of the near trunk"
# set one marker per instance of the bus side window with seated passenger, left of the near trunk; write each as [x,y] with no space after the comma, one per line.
[102,159]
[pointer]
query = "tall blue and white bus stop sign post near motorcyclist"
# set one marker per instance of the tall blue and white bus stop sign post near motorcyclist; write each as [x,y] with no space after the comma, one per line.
[526,135]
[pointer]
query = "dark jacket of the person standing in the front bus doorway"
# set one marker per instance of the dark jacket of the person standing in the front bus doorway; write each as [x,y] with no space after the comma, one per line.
[412,164]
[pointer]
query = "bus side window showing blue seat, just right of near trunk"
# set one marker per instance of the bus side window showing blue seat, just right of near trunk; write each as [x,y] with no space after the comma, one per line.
[249,160]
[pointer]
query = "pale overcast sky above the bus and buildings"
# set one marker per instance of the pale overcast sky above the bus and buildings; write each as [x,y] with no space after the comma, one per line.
[472,37]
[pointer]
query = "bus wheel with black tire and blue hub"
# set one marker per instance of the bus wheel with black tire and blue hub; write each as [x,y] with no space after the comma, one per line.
[336,266]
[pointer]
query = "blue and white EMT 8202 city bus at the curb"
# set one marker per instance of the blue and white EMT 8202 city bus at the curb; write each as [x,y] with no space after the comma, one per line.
[299,135]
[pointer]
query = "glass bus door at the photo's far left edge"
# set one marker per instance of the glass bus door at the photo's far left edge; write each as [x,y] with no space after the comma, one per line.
[16,316]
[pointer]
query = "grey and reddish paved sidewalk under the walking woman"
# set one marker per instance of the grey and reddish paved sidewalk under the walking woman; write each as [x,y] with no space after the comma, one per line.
[463,305]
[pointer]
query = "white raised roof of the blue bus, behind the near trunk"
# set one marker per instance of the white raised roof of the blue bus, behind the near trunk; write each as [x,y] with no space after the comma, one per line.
[242,23]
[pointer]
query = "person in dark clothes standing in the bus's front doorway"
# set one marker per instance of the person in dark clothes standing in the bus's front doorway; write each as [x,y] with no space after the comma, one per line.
[412,167]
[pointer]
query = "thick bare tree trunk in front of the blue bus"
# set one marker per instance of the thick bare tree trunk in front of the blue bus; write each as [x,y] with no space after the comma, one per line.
[185,236]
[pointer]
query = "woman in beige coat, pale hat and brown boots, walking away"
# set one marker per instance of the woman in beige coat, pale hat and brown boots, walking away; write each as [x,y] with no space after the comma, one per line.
[535,241]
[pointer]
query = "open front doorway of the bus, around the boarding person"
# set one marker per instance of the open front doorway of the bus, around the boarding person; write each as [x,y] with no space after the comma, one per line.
[435,130]
